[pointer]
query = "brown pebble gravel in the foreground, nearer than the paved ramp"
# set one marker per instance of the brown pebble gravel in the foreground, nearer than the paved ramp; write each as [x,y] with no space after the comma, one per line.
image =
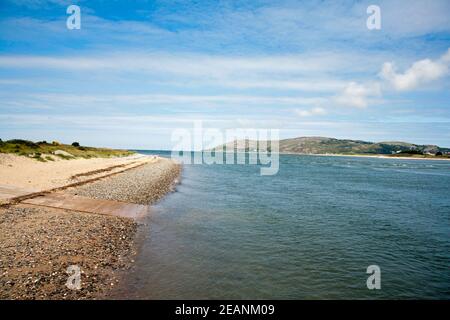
[37,245]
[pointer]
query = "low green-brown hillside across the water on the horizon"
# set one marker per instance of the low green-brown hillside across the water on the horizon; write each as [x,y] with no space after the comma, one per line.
[323,145]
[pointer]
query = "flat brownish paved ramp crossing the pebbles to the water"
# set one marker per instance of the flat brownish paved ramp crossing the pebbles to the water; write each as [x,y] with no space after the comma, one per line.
[71,202]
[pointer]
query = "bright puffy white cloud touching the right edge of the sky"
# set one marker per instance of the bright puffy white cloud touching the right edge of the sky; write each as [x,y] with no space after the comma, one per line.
[420,73]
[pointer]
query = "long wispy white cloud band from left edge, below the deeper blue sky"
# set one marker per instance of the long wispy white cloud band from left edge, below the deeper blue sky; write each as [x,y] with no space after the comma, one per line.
[191,64]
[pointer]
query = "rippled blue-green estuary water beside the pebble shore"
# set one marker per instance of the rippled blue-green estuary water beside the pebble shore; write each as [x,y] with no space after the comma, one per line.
[309,232]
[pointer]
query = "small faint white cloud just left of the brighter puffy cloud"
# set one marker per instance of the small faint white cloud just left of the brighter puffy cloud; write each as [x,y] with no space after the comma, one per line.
[357,95]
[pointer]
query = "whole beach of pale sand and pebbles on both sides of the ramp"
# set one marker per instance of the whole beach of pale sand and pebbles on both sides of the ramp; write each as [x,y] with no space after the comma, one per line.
[37,244]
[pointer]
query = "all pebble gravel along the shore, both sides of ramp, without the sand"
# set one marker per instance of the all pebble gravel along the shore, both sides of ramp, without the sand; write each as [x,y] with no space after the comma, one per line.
[38,244]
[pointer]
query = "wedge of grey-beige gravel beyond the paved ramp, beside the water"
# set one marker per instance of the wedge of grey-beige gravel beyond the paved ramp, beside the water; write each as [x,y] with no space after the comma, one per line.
[143,185]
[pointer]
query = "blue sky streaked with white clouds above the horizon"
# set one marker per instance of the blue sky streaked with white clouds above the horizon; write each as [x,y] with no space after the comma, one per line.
[137,71]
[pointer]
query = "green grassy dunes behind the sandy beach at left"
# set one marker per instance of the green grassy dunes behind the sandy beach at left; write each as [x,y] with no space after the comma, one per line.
[41,150]
